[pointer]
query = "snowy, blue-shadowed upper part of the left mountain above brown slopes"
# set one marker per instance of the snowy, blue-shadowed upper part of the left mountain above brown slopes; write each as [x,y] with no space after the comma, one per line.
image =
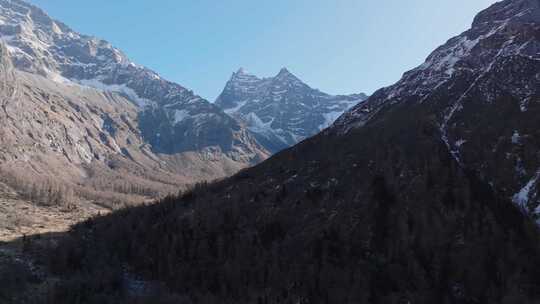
[173,118]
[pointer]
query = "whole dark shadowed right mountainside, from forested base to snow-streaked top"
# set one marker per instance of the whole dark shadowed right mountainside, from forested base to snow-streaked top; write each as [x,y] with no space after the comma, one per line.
[399,202]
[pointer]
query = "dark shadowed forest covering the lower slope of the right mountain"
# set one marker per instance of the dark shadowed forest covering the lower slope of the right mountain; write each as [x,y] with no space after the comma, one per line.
[395,221]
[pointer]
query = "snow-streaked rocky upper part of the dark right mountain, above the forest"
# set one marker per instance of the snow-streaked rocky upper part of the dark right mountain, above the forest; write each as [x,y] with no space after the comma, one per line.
[481,90]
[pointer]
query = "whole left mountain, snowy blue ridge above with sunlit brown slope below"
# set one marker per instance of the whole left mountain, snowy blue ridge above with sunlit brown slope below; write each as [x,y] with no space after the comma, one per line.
[83,103]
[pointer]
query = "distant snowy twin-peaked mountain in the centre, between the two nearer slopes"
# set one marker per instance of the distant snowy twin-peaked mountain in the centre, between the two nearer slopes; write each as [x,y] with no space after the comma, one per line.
[281,110]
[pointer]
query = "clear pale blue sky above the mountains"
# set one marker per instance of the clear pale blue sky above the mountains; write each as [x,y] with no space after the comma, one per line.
[337,46]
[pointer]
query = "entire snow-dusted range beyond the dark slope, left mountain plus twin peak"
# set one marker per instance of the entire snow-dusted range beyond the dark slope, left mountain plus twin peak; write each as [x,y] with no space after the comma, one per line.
[76,108]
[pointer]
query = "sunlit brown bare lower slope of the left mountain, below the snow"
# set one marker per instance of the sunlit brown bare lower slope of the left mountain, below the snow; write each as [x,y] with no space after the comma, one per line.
[79,136]
